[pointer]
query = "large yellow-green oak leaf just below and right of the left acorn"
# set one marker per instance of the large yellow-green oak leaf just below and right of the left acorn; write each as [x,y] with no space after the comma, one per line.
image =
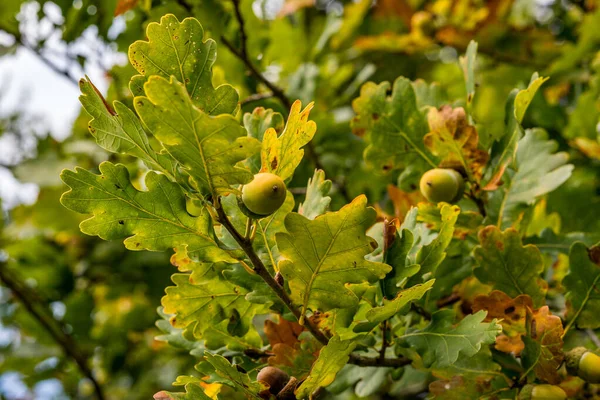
[321,256]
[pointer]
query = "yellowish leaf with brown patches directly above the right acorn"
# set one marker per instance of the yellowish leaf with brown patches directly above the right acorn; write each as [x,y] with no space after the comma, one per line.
[455,141]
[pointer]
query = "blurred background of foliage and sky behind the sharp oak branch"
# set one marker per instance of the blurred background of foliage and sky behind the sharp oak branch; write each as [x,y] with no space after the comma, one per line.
[61,285]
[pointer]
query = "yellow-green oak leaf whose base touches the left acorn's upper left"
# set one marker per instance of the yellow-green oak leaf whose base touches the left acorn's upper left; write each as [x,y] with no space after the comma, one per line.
[207,147]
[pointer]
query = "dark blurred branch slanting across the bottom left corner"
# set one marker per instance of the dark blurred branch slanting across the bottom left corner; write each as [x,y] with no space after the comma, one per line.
[51,325]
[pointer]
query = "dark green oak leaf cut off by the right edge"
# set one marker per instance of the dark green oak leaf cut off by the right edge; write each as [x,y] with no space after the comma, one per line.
[583,299]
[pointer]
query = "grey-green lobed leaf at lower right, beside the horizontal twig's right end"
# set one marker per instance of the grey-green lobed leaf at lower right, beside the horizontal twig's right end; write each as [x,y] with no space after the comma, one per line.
[442,343]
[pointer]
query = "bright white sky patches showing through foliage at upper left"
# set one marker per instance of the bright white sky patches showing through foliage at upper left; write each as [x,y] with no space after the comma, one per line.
[30,86]
